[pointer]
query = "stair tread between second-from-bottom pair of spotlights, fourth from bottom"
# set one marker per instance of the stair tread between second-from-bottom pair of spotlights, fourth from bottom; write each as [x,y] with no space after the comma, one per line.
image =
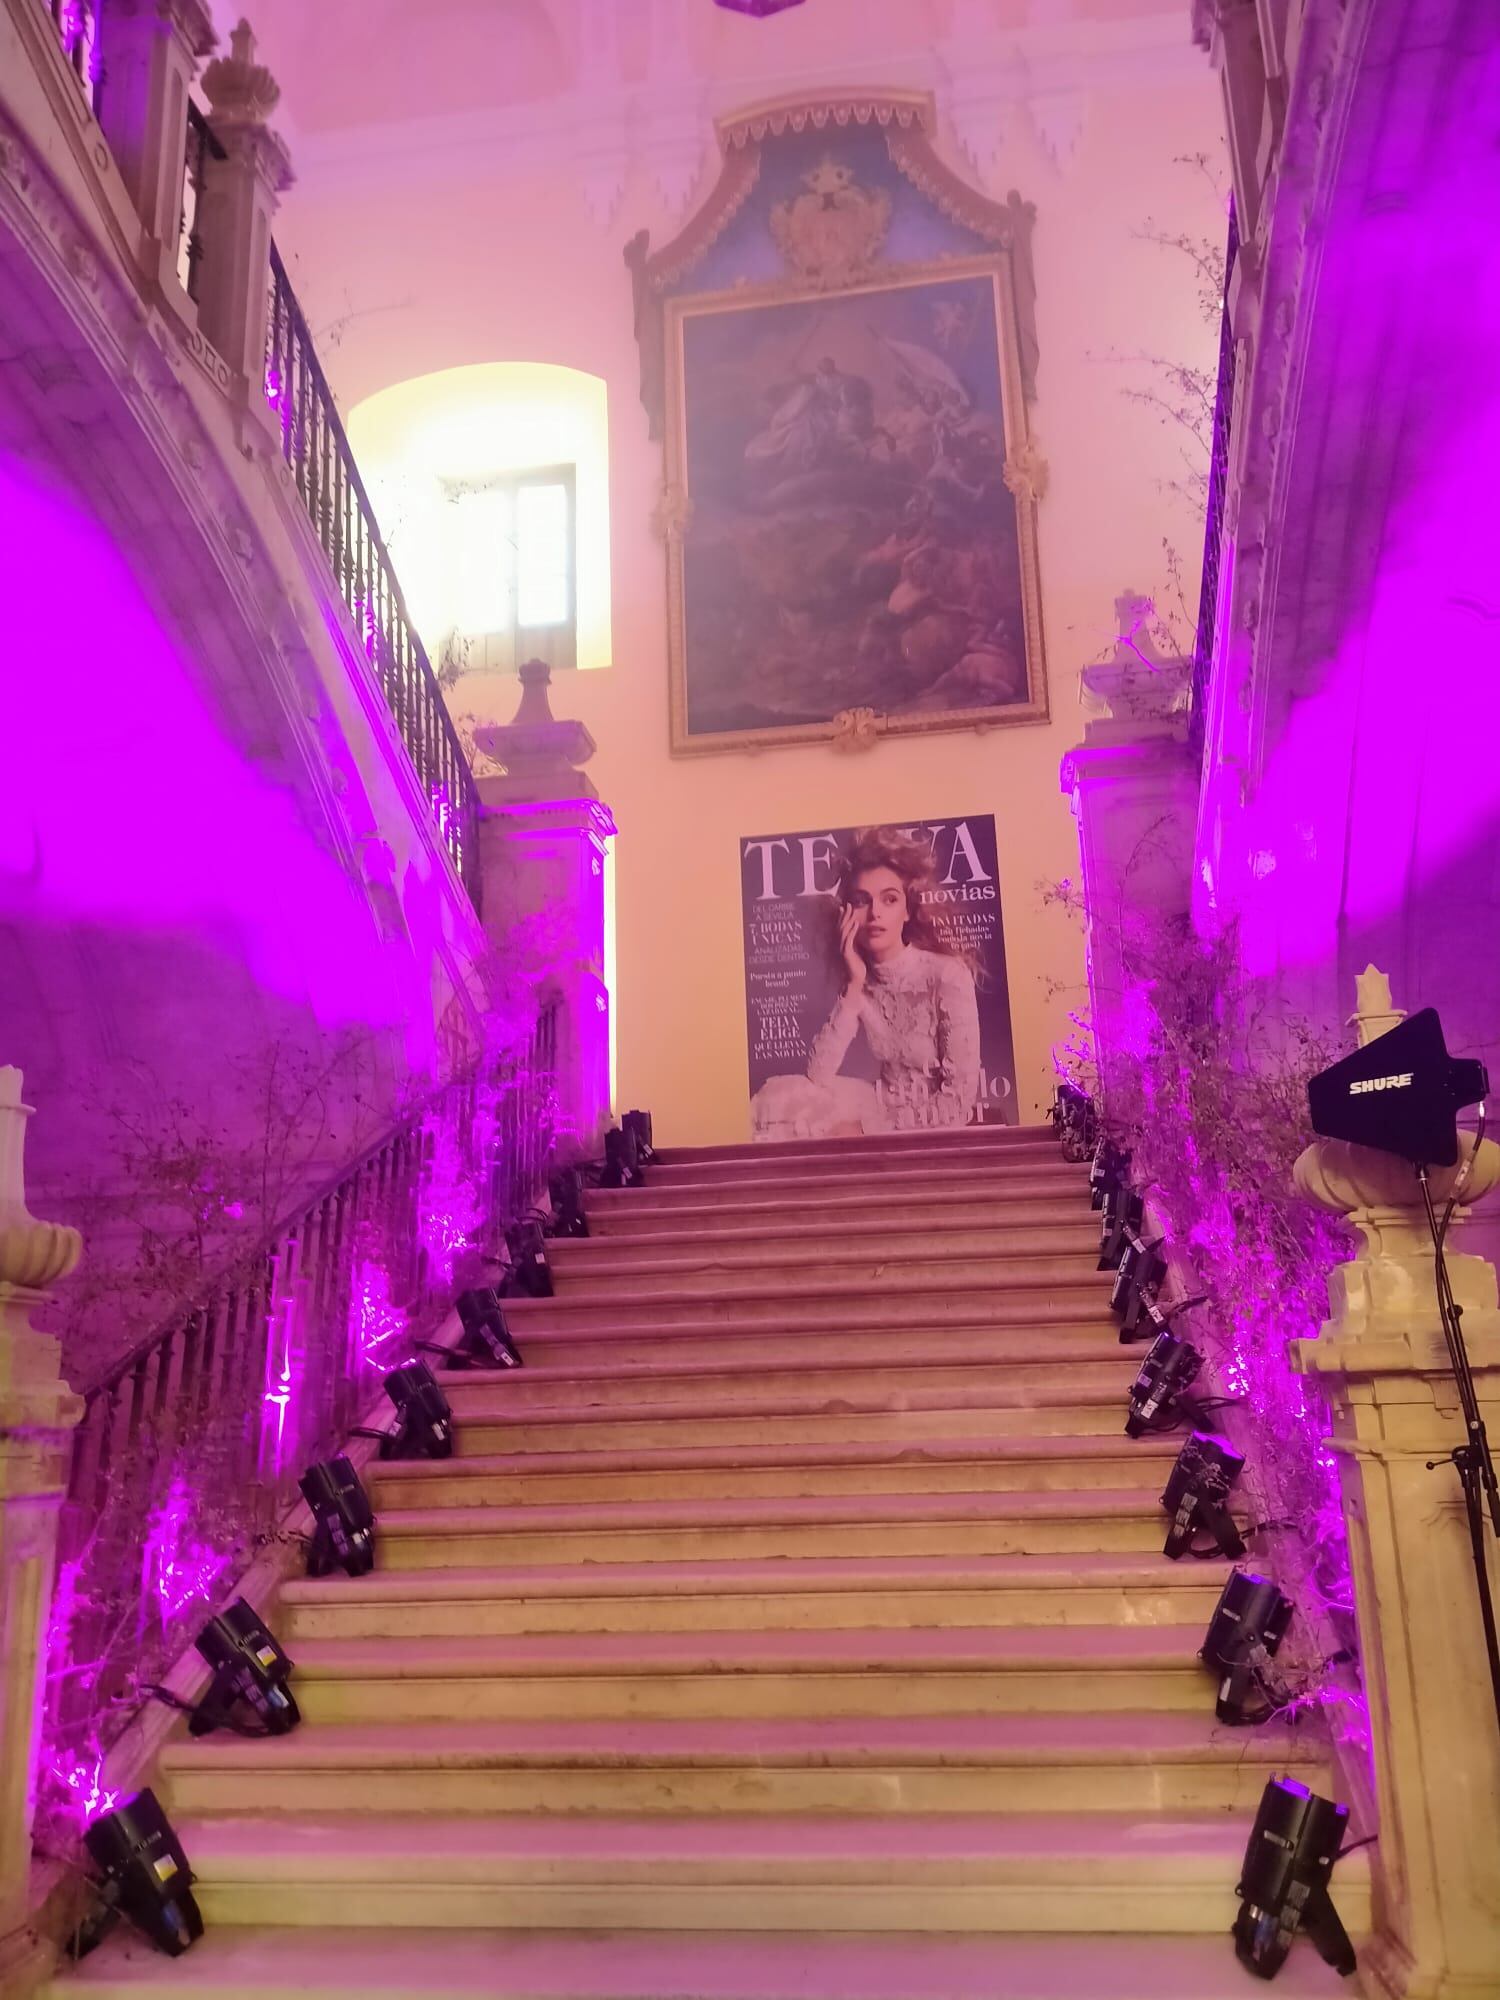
[937,1649]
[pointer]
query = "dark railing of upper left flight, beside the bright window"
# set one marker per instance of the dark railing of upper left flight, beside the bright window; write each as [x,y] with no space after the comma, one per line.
[339,507]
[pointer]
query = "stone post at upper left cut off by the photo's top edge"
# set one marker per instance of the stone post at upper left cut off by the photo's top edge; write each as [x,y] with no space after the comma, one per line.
[153,51]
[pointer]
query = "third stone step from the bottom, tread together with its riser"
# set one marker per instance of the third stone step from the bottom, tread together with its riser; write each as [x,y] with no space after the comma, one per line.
[911,1765]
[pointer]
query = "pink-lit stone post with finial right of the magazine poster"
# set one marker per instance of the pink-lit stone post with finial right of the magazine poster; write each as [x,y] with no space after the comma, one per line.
[1135,795]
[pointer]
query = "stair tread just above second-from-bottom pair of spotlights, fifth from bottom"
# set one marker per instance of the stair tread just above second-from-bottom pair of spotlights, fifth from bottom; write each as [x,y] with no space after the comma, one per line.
[755,1577]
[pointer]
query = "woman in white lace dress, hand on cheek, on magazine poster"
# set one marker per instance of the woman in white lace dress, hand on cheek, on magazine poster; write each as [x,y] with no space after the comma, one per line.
[913,997]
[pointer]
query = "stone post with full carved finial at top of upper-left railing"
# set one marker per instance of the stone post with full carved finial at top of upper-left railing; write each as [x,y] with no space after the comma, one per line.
[239,205]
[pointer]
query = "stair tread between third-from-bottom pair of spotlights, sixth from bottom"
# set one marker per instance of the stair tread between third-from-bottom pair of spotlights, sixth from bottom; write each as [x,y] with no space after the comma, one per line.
[861,1511]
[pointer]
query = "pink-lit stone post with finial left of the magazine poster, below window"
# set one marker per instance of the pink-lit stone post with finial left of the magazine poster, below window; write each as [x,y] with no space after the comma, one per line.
[543,851]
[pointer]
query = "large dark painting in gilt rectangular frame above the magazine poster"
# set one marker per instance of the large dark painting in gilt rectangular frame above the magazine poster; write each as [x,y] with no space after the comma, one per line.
[1003,677]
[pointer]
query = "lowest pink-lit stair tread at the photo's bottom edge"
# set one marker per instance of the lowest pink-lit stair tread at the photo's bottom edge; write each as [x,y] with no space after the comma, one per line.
[331,1963]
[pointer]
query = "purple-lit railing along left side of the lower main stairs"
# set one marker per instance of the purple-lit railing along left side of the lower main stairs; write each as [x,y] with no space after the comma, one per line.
[191,1445]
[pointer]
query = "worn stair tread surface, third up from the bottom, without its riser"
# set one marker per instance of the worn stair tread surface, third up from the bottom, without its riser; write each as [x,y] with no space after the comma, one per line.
[1121,1739]
